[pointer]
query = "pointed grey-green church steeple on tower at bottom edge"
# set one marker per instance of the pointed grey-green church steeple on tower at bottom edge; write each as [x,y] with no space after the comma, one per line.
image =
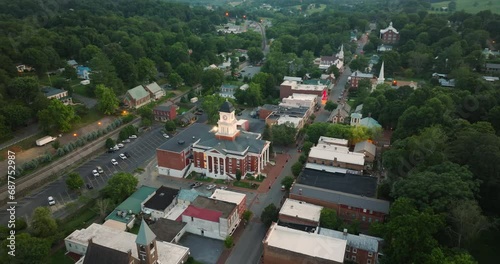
[146,245]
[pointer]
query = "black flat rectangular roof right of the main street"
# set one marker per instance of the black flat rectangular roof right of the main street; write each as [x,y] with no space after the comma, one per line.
[341,182]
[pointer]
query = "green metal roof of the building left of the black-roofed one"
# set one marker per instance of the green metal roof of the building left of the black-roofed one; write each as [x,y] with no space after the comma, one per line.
[132,203]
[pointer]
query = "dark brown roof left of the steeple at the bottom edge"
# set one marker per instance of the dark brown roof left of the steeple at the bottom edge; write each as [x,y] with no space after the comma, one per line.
[97,254]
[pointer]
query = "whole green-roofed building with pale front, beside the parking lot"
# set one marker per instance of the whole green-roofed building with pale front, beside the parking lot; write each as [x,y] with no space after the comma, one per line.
[125,212]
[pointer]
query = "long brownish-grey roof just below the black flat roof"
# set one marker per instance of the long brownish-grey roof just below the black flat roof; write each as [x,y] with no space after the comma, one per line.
[341,198]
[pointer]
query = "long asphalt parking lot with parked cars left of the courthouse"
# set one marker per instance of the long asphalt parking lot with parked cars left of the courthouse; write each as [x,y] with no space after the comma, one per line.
[141,150]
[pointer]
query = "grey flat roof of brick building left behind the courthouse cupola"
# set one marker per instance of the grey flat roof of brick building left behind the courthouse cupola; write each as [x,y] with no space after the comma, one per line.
[185,138]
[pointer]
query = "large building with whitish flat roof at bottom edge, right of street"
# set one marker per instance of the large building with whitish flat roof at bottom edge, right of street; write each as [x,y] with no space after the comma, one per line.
[283,245]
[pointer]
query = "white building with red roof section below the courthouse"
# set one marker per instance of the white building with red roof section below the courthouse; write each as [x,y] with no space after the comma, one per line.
[211,218]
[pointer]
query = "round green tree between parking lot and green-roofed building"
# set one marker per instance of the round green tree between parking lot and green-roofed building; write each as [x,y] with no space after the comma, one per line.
[120,186]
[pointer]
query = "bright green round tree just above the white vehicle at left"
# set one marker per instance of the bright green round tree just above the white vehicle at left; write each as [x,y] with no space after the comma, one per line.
[56,116]
